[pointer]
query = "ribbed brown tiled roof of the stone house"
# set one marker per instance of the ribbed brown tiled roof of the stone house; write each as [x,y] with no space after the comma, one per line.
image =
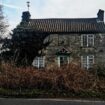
[65,25]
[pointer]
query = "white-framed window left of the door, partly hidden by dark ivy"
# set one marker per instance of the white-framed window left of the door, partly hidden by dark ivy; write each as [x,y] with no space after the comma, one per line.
[39,62]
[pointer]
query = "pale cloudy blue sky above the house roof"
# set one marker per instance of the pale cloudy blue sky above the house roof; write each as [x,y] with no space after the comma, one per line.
[50,9]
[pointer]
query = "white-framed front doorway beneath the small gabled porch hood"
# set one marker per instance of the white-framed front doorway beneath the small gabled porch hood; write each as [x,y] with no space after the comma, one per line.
[62,60]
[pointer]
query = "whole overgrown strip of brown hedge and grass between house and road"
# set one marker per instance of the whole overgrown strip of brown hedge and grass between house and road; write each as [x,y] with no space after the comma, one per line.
[66,82]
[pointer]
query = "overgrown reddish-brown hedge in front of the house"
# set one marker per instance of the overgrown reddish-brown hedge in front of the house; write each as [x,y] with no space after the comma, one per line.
[67,78]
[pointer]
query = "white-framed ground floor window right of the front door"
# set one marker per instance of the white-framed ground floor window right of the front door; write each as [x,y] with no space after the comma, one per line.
[87,61]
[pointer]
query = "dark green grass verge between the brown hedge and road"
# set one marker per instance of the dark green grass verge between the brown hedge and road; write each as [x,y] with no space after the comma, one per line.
[37,93]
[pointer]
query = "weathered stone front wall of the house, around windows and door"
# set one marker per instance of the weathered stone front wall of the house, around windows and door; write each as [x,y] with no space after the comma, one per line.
[72,42]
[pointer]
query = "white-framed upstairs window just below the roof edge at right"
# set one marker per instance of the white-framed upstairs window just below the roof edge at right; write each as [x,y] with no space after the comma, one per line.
[87,40]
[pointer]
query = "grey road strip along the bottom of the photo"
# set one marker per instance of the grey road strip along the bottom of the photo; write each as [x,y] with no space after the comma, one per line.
[48,102]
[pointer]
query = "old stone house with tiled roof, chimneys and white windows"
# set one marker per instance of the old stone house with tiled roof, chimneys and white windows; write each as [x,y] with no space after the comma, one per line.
[77,40]
